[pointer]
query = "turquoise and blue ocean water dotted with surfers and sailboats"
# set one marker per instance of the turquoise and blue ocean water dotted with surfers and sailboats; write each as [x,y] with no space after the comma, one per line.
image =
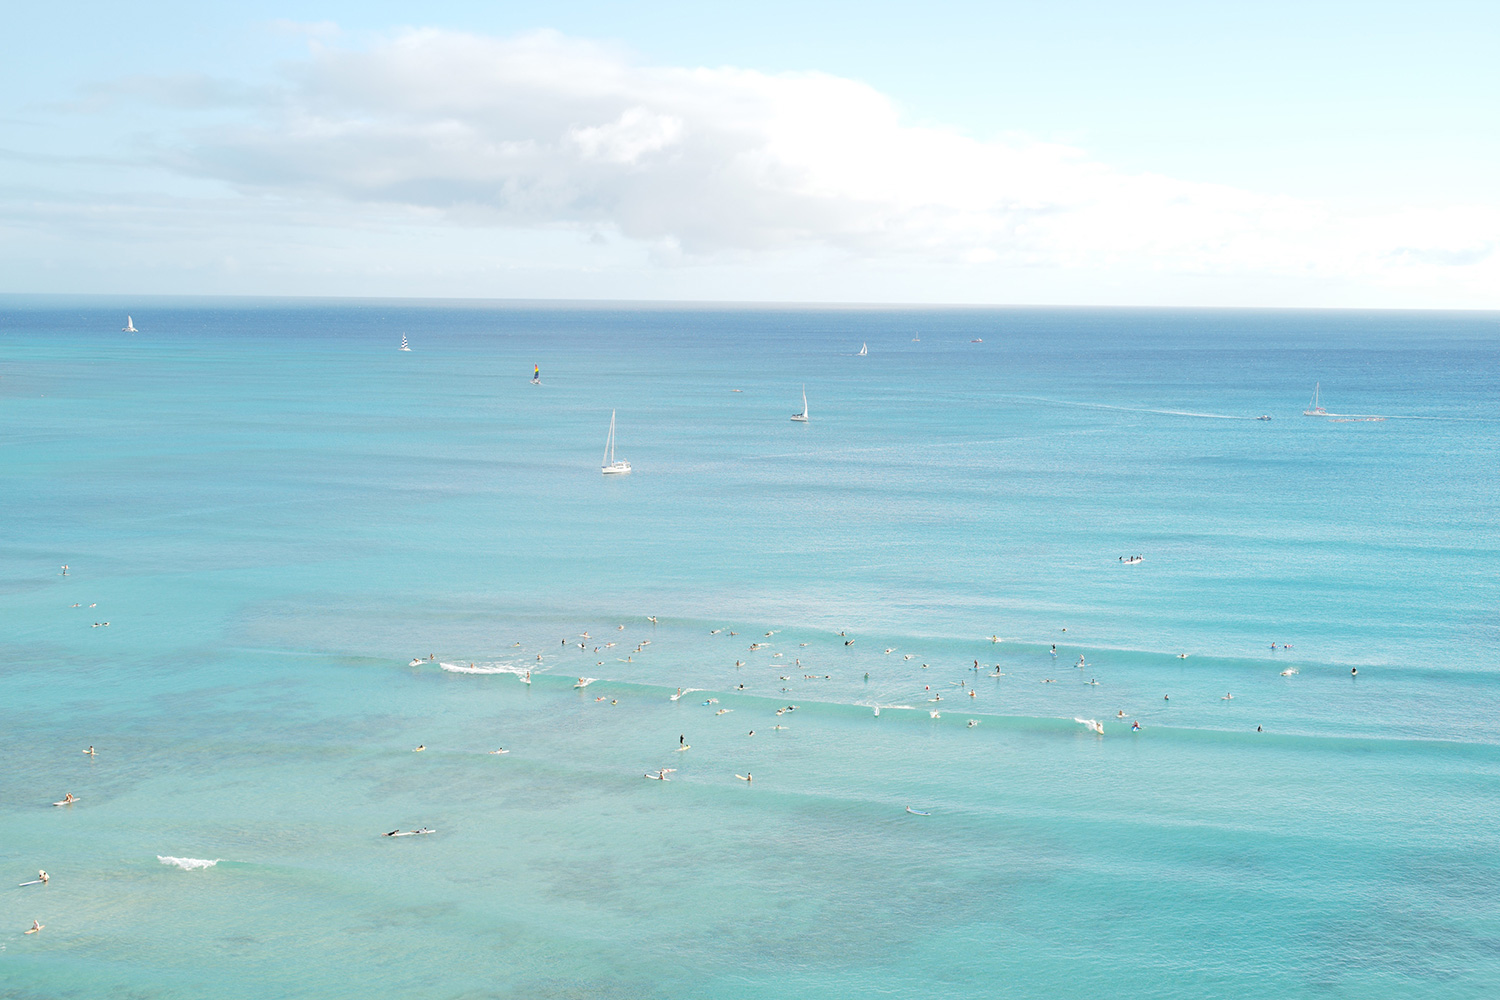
[275,512]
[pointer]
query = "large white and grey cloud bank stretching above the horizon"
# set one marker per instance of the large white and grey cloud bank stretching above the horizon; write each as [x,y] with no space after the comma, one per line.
[713,166]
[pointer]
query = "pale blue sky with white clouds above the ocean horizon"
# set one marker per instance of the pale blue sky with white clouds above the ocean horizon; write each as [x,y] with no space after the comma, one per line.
[1325,155]
